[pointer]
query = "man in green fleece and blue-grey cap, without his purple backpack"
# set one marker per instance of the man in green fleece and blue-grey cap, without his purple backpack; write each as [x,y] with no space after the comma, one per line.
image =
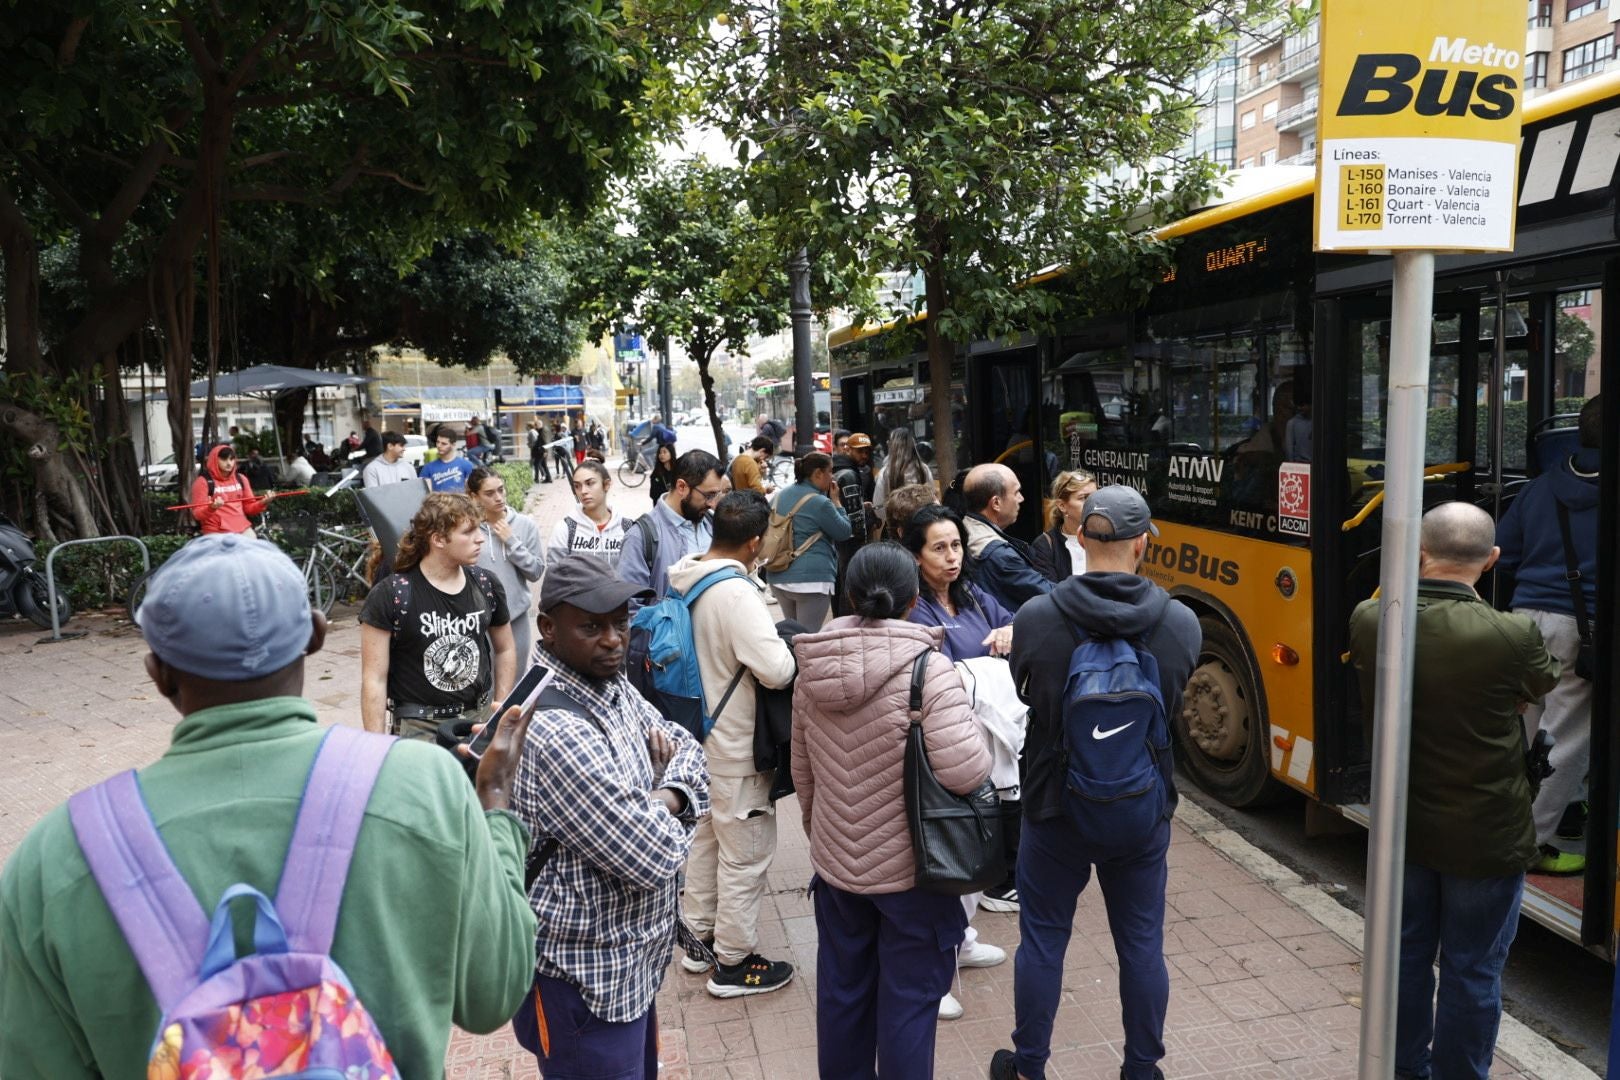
[433,927]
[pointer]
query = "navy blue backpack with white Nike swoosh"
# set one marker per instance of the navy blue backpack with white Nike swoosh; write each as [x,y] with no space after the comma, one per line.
[1114,739]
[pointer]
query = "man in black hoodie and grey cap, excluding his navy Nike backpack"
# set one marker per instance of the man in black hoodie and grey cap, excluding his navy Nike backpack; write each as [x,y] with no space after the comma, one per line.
[1109,602]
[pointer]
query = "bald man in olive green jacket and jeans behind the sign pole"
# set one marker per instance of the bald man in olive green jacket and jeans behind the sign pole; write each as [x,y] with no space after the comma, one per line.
[1469,830]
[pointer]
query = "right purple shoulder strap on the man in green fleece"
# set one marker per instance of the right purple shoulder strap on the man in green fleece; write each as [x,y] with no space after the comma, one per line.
[330,817]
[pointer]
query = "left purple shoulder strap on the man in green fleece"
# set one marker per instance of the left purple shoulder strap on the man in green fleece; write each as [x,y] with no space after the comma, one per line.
[153,904]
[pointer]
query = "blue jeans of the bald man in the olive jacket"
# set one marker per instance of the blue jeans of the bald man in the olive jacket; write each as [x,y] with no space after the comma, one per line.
[1470,924]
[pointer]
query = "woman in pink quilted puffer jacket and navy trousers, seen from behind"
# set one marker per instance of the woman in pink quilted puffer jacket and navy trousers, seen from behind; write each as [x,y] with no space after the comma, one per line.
[850,742]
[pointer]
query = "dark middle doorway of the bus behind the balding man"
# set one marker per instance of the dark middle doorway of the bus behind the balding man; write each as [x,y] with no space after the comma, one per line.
[1004,428]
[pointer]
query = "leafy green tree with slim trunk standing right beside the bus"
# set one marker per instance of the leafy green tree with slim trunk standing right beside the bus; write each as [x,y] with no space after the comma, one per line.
[978,142]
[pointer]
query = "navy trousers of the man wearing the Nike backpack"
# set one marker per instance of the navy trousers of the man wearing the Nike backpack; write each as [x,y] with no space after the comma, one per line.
[1054,869]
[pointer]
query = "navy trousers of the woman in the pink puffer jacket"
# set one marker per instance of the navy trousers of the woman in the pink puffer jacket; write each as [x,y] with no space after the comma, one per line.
[884,963]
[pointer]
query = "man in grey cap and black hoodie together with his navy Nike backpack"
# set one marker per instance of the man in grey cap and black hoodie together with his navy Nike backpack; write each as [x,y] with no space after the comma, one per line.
[1067,835]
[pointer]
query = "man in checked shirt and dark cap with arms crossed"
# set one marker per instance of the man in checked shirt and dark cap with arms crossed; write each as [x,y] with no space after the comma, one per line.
[613,793]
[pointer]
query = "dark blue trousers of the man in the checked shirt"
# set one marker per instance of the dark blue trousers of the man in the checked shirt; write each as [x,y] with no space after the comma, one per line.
[578,1045]
